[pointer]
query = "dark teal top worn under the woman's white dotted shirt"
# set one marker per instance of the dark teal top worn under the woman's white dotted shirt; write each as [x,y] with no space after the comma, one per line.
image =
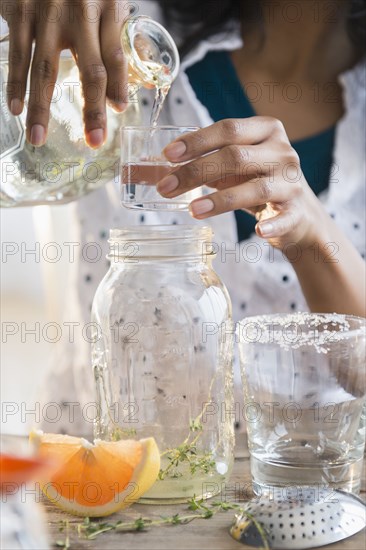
[218,88]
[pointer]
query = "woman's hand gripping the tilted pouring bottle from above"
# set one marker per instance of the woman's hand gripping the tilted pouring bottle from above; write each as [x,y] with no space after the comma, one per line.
[92,31]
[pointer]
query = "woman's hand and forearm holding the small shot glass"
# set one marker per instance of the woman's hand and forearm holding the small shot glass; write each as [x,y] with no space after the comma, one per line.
[252,166]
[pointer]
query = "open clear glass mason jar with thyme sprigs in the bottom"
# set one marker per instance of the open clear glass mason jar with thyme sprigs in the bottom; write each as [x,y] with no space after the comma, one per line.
[162,356]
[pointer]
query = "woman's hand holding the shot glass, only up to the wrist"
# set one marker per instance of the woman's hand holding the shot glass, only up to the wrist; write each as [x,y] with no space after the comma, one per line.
[253,167]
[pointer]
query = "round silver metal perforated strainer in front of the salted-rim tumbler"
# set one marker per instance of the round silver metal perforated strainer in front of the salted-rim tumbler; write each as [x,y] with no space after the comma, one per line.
[314,519]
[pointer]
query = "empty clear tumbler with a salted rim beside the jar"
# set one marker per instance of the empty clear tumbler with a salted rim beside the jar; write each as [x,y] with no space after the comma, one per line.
[304,383]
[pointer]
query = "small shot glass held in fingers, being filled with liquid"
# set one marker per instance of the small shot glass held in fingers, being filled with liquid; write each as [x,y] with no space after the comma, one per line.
[143,165]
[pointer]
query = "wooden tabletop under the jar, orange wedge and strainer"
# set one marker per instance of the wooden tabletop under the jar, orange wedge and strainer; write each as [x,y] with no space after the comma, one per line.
[208,534]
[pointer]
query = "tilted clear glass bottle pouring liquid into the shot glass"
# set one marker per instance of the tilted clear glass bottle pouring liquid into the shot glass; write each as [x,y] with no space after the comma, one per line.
[65,167]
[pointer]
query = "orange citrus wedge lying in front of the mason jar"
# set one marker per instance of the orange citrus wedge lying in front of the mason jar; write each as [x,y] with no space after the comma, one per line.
[96,479]
